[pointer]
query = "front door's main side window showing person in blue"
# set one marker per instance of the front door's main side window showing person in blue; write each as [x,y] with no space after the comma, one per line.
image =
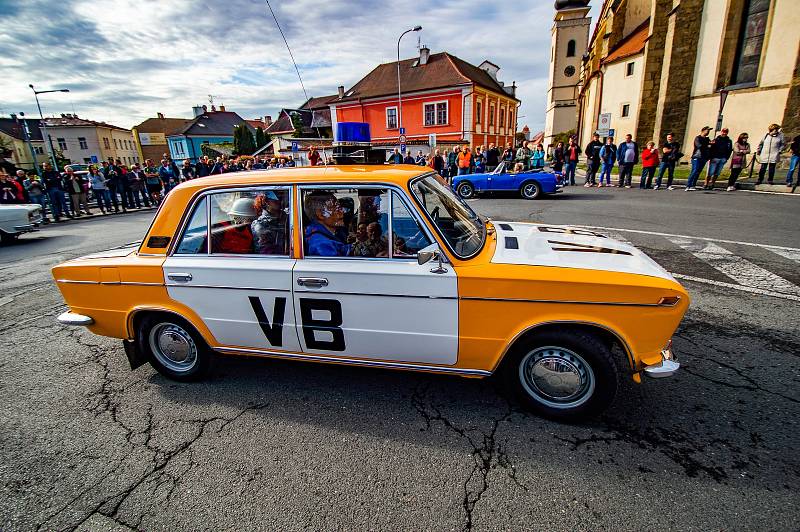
[345,222]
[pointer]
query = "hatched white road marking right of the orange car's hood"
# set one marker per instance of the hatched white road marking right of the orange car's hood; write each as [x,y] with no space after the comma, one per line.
[737,268]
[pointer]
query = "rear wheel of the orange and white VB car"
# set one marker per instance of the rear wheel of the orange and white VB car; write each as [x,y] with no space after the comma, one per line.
[190,359]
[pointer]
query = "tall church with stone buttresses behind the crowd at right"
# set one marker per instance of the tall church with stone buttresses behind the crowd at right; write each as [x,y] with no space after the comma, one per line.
[658,67]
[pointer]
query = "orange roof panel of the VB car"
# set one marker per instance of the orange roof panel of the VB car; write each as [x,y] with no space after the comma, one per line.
[393,174]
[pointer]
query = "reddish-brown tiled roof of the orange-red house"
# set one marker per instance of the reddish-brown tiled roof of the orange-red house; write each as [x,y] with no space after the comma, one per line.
[442,70]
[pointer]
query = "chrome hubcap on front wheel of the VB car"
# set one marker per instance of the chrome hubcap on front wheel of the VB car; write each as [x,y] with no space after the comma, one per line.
[557,377]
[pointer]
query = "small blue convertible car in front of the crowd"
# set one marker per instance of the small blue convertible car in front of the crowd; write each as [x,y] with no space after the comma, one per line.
[531,184]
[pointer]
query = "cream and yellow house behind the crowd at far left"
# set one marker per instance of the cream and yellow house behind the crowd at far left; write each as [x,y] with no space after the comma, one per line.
[87,141]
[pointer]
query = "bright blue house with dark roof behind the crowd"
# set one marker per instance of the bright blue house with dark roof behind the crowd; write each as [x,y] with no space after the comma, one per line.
[207,127]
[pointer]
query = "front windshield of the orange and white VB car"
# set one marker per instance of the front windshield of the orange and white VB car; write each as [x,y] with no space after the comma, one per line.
[461,228]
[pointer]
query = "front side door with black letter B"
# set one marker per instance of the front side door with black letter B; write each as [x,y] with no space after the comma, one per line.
[359,290]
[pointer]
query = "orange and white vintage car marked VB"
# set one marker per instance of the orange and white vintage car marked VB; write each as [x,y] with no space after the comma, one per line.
[379,266]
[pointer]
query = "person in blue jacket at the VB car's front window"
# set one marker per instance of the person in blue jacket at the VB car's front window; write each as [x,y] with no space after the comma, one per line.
[327,221]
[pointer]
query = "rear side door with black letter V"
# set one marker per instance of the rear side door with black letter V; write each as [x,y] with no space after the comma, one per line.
[236,271]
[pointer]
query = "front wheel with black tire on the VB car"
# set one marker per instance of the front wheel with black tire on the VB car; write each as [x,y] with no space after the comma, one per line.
[576,362]
